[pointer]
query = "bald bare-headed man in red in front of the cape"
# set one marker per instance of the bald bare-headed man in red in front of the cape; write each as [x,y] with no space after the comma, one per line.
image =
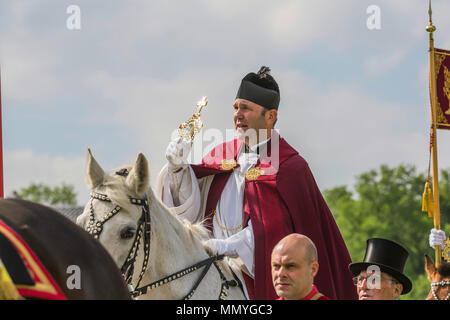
[294,266]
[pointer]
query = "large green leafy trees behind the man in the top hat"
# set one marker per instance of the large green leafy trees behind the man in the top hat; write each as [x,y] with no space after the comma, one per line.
[387,203]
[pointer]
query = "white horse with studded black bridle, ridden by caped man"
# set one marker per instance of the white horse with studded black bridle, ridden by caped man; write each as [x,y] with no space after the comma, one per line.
[161,256]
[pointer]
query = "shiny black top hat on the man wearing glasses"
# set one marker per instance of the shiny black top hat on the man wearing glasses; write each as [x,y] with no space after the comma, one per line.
[389,256]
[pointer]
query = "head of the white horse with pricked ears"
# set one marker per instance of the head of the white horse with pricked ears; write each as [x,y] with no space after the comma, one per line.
[112,194]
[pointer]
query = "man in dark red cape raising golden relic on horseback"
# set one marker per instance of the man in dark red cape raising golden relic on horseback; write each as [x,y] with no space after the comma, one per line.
[276,195]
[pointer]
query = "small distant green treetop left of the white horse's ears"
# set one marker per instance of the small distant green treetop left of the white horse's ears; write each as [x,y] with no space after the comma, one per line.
[44,194]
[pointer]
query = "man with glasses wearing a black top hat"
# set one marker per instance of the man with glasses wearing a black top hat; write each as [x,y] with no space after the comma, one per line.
[380,276]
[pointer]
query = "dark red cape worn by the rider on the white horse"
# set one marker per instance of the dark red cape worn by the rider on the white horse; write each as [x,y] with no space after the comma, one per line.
[280,203]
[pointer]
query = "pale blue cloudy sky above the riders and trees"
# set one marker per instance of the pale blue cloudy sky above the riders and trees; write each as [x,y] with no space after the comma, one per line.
[351,98]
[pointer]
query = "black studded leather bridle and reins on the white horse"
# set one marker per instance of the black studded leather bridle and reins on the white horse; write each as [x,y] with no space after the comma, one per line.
[95,227]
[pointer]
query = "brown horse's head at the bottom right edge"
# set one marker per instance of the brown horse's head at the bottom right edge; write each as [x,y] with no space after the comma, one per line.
[439,279]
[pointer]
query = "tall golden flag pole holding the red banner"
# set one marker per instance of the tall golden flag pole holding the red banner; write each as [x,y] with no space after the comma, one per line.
[436,208]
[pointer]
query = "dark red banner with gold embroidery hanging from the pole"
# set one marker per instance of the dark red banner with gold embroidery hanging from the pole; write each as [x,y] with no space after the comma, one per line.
[442,72]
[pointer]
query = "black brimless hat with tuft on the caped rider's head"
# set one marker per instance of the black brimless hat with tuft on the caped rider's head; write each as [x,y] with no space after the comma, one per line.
[260,88]
